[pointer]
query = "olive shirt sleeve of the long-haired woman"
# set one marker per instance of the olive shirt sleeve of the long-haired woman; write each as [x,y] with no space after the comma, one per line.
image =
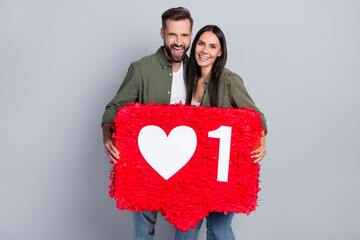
[240,97]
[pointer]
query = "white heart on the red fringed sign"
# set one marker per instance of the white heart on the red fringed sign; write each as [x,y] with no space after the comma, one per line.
[167,154]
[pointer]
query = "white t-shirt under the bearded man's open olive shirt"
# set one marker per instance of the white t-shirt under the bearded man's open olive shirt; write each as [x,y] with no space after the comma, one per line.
[178,88]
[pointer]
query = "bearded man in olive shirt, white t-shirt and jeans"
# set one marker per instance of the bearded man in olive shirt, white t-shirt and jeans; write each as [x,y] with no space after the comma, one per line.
[158,78]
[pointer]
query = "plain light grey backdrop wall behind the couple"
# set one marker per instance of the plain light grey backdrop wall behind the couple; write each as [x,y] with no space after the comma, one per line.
[61,62]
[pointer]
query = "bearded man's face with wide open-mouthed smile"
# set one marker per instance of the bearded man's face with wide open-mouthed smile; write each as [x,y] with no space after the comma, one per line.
[177,37]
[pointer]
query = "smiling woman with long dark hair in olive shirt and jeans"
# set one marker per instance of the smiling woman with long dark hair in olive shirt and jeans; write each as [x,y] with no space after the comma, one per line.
[210,84]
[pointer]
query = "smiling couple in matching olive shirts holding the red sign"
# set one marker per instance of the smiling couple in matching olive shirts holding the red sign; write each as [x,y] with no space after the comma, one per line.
[169,76]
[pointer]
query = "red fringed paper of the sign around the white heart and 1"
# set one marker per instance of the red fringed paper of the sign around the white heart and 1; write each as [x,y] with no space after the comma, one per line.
[190,194]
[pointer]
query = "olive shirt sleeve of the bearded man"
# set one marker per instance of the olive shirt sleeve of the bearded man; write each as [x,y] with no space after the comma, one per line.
[127,93]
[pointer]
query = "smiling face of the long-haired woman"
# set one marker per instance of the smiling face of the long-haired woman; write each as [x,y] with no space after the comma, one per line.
[207,49]
